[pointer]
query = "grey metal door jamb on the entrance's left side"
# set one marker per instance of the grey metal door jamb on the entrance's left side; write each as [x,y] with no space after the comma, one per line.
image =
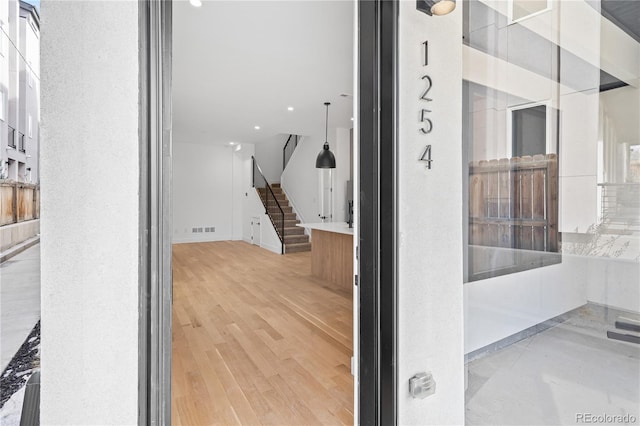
[155,276]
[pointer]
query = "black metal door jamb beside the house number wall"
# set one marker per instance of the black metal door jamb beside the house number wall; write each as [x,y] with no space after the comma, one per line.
[377,59]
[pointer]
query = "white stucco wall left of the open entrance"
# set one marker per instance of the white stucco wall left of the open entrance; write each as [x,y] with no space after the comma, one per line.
[90,213]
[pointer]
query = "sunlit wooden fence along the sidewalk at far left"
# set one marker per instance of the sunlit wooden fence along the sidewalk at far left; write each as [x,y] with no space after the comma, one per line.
[18,202]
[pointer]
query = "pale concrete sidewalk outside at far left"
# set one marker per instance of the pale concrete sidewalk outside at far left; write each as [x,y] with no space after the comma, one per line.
[19,301]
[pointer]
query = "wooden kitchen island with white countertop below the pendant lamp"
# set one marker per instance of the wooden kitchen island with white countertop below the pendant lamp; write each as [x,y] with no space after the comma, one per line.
[332,252]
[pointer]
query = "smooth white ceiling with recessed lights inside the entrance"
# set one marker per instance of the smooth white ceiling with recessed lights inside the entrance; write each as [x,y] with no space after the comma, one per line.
[238,64]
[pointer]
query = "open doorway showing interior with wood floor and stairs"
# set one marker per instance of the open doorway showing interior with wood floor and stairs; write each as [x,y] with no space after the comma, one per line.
[257,336]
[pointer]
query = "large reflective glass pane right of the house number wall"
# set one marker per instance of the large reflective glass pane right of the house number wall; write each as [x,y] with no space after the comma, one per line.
[551,147]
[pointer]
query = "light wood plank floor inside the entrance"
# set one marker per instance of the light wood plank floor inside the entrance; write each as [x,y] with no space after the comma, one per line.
[257,339]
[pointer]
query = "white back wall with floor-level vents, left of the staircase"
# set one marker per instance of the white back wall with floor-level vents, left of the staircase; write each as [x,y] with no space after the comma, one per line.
[203,183]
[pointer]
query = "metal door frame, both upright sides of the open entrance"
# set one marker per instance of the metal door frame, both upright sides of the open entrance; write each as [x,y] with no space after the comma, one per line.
[377,53]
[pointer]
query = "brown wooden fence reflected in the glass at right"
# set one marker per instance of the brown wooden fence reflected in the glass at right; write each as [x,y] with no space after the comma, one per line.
[513,203]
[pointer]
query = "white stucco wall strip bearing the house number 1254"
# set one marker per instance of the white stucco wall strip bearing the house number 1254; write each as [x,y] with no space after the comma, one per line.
[430,299]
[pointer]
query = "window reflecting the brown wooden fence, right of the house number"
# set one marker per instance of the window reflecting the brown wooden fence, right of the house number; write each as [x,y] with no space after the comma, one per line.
[512,195]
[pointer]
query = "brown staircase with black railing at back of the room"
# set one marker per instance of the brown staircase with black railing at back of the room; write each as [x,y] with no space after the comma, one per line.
[295,240]
